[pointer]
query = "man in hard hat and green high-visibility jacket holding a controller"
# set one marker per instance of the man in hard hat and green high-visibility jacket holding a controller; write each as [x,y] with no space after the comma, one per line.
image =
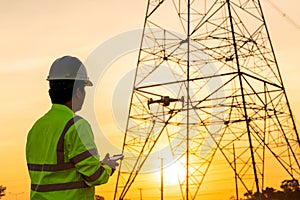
[62,158]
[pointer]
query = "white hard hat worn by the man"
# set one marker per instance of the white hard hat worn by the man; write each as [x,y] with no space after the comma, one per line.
[68,68]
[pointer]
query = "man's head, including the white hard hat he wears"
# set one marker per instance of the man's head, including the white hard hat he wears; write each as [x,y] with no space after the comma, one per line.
[67,78]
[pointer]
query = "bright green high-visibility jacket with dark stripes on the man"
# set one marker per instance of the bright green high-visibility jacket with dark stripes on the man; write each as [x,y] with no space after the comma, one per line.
[62,158]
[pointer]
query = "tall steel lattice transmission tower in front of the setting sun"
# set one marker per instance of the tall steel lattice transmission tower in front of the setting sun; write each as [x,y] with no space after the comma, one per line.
[207,77]
